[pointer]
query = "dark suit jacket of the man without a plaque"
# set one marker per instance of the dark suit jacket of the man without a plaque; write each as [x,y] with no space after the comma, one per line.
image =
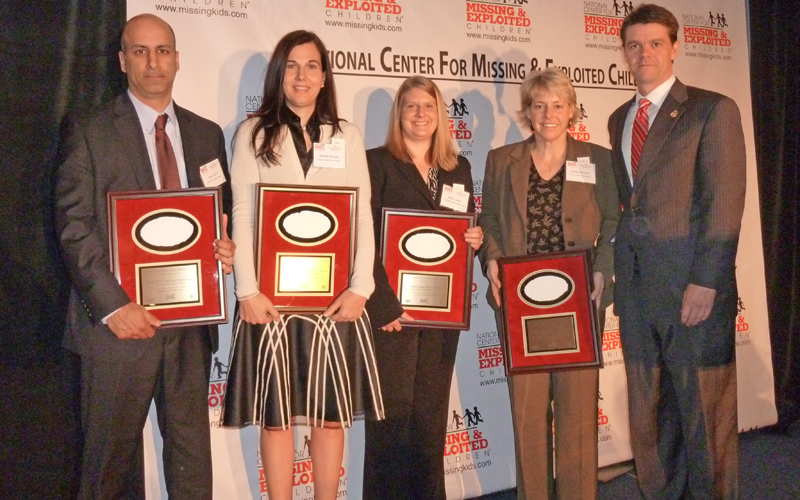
[681,218]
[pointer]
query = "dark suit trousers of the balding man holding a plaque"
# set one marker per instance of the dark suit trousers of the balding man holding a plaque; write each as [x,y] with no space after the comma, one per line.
[119,379]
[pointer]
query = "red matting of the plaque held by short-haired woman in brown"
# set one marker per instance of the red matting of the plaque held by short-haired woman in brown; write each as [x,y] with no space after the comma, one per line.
[515,271]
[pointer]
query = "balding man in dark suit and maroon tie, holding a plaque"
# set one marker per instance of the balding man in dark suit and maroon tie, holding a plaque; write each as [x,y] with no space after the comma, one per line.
[126,360]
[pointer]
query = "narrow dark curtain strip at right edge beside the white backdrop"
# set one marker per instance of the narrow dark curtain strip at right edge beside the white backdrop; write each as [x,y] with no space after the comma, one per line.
[775,74]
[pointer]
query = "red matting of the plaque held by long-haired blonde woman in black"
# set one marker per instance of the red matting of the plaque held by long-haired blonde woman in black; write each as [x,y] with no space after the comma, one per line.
[394,225]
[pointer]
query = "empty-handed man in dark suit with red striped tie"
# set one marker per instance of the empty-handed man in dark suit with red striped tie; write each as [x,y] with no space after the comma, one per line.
[679,161]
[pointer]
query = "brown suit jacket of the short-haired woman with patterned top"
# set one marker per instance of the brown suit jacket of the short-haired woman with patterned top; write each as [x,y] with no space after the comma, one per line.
[589,212]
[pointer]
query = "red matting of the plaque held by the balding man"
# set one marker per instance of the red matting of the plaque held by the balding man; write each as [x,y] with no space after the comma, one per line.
[203,205]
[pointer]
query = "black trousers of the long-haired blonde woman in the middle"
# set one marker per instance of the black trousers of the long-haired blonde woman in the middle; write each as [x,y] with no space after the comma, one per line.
[404,453]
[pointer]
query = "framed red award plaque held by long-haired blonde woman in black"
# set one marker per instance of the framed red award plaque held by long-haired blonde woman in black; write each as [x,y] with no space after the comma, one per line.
[429,265]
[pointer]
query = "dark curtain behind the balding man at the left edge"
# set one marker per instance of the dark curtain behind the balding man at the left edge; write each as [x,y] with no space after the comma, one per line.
[56,58]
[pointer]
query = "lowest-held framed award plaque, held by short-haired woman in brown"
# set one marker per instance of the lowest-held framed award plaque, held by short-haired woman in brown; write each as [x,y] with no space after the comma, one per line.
[549,320]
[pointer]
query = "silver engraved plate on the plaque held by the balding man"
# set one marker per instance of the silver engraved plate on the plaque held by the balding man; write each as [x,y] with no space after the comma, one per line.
[168,285]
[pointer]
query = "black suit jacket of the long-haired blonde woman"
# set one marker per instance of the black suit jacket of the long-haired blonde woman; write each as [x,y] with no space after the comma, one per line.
[397,184]
